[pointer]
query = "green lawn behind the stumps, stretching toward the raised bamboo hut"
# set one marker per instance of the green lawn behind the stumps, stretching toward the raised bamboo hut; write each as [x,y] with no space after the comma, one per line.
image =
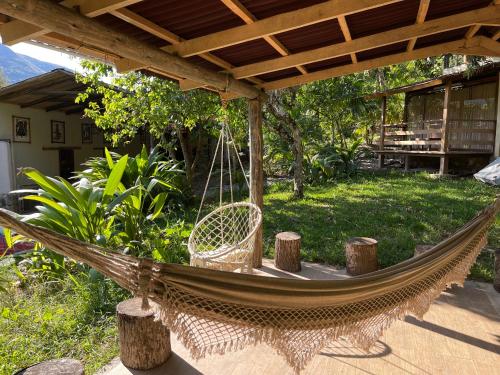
[399,210]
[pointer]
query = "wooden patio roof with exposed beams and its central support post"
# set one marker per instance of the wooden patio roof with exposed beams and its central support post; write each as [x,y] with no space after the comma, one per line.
[242,48]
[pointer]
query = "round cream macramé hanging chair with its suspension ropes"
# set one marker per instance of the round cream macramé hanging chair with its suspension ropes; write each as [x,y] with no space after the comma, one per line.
[224,239]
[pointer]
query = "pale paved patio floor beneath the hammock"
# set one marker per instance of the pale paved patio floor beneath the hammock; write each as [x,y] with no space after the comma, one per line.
[460,335]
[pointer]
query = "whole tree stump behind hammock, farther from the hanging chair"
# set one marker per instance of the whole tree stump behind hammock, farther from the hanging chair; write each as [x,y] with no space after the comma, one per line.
[361,255]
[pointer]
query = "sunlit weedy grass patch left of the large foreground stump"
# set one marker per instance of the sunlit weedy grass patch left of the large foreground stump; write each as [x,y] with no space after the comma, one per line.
[42,321]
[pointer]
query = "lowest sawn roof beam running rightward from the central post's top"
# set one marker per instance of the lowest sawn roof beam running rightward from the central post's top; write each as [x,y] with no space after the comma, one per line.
[397,58]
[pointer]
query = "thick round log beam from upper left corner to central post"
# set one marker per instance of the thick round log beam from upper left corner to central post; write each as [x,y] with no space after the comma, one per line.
[61,20]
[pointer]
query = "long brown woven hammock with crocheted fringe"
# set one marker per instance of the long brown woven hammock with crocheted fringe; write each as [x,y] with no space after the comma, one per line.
[214,312]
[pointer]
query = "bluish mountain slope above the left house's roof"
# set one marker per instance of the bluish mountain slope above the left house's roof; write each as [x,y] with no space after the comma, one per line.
[17,67]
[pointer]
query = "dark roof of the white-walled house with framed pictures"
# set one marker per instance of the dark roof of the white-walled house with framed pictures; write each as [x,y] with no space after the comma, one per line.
[52,91]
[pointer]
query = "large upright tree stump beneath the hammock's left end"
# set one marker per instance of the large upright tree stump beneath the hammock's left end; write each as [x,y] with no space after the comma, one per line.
[144,342]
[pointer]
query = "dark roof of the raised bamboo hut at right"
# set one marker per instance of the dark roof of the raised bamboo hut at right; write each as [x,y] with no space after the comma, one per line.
[488,70]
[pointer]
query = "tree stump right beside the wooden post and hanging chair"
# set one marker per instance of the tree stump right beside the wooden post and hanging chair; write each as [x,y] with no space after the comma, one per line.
[287,251]
